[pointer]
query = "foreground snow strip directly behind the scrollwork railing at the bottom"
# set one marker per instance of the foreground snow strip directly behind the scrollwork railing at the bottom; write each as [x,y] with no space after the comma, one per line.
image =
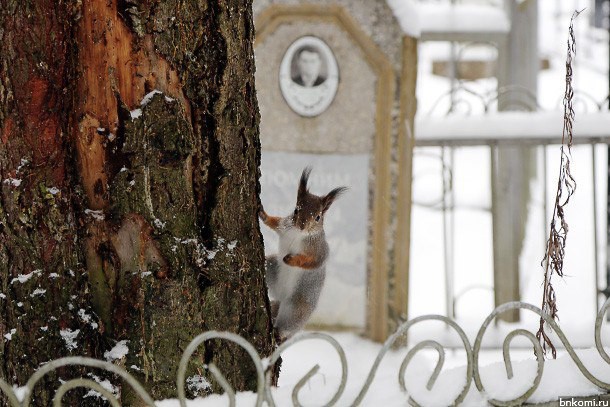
[561,377]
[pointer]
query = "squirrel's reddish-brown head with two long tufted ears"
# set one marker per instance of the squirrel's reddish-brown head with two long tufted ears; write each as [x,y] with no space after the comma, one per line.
[310,209]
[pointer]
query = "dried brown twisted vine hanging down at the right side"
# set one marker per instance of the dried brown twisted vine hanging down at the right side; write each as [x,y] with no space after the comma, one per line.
[566,185]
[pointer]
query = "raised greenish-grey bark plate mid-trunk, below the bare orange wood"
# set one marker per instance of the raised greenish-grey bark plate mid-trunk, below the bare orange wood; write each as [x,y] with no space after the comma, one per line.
[156,245]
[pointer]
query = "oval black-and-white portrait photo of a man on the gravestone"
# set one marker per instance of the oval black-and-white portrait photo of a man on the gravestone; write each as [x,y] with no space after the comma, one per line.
[309,76]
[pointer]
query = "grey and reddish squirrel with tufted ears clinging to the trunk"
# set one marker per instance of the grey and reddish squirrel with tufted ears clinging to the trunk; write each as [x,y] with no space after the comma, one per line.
[295,275]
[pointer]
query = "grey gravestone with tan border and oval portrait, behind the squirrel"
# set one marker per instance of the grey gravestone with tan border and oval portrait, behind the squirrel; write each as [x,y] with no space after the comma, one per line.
[335,83]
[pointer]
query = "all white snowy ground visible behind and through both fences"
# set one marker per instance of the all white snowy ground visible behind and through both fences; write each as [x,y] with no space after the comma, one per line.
[473,260]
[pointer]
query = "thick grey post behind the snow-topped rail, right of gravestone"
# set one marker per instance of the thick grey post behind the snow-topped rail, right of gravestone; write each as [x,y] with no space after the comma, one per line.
[514,166]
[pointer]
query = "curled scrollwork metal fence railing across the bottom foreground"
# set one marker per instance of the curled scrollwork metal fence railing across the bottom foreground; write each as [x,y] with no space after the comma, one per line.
[264,366]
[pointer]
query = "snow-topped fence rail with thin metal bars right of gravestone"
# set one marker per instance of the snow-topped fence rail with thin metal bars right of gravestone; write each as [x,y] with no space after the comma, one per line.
[464,130]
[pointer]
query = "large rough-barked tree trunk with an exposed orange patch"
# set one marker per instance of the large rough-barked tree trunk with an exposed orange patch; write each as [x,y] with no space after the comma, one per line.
[130,164]
